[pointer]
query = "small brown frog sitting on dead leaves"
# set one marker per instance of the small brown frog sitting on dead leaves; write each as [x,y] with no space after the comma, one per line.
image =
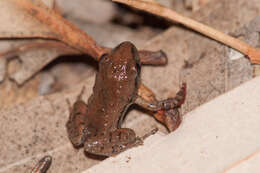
[97,125]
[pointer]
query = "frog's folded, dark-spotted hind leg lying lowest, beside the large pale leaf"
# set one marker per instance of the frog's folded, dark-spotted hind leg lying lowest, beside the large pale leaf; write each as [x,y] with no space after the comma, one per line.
[113,142]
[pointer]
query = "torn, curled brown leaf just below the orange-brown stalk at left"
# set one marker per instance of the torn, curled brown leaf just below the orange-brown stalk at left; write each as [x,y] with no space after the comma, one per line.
[36,55]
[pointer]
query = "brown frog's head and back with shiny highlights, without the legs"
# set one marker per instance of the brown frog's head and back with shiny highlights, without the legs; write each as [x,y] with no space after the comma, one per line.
[115,87]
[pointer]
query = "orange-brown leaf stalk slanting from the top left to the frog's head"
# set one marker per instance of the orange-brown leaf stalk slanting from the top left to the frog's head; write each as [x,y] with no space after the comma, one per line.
[61,29]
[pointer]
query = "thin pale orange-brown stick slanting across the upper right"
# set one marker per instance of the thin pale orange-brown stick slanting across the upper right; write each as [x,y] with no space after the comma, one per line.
[156,9]
